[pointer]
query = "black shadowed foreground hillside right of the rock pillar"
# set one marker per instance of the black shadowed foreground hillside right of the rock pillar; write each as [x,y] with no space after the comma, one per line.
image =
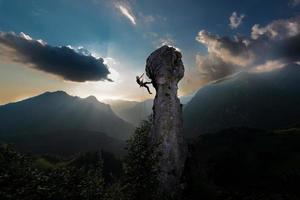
[244,164]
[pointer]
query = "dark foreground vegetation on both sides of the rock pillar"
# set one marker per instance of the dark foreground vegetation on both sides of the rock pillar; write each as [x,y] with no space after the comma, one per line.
[233,164]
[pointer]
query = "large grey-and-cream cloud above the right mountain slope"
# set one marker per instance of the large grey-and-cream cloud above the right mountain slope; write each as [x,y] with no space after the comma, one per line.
[277,43]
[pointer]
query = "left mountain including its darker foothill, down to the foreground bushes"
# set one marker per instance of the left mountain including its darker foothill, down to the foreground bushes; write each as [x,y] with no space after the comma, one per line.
[56,121]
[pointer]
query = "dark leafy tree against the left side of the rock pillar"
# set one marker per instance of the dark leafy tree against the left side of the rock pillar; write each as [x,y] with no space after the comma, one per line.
[141,165]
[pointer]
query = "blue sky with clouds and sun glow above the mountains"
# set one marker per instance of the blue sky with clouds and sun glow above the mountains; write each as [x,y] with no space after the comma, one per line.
[97,47]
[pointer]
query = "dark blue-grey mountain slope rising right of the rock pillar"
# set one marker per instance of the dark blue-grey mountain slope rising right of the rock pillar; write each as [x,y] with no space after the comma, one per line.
[269,100]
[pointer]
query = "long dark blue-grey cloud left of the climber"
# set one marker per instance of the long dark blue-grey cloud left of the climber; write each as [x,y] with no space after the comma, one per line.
[66,62]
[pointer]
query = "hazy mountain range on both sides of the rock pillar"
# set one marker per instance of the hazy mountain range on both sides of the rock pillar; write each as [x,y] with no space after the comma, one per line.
[57,122]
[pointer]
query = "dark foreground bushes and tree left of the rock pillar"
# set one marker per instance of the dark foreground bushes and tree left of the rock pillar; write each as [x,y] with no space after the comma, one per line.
[88,176]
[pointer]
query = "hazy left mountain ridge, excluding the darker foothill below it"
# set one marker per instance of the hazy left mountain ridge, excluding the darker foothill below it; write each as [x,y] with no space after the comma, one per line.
[58,111]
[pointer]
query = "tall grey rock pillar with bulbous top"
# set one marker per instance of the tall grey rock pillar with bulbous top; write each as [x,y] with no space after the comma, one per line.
[165,68]
